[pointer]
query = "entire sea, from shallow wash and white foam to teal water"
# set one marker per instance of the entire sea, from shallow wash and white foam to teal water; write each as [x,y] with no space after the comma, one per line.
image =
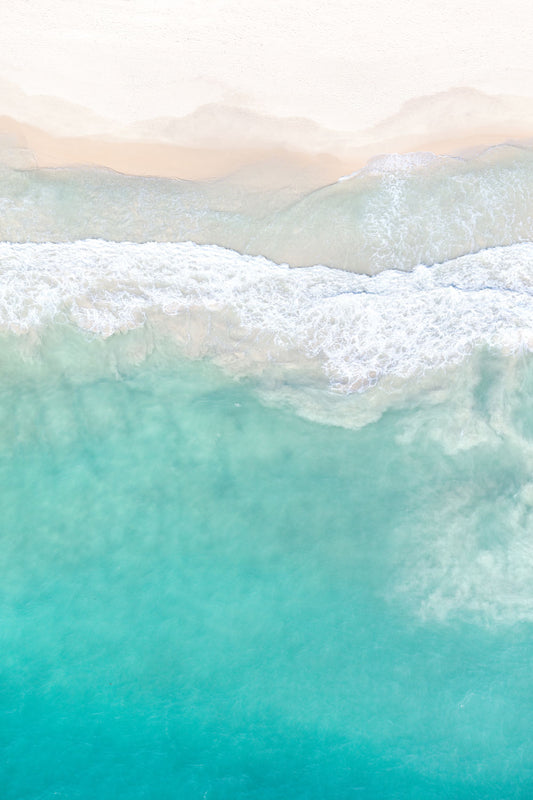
[266,485]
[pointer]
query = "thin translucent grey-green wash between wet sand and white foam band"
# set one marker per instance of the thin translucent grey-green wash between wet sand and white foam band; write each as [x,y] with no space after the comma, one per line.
[397,212]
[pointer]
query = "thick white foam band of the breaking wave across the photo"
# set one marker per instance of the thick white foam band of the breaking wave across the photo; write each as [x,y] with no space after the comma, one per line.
[359,330]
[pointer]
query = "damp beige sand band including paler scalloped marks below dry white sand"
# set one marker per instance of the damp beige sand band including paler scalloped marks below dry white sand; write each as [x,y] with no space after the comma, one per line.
[294,145]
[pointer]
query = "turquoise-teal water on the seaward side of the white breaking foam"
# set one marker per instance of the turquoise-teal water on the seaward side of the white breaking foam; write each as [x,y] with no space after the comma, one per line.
[203,597]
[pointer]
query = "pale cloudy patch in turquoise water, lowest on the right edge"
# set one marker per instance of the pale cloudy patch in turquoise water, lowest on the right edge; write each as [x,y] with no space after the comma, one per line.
[472,555]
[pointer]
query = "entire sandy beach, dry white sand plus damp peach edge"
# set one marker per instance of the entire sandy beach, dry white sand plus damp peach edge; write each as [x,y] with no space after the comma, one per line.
[141,89]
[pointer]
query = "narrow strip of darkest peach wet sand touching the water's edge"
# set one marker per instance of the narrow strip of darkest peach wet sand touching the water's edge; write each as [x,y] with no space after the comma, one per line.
[262,166]
